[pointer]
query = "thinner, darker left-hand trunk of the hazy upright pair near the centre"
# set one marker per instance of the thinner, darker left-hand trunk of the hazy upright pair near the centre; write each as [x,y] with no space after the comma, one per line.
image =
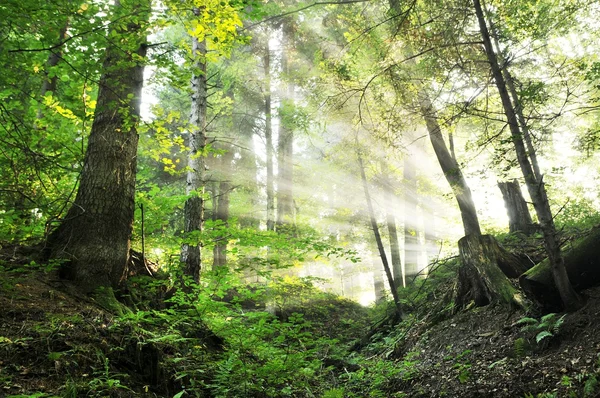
[269,138]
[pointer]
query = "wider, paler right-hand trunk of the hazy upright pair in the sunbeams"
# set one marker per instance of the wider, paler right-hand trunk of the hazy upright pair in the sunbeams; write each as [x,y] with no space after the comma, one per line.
[285,147]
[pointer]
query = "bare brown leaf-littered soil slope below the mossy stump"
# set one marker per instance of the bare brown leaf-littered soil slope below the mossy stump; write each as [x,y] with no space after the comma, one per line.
[486,352]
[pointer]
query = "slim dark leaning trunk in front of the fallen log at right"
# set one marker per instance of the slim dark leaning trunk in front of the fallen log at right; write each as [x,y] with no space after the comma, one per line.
[535,186]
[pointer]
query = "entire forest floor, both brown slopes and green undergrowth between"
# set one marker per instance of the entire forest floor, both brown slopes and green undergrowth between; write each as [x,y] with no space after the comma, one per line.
[56,343]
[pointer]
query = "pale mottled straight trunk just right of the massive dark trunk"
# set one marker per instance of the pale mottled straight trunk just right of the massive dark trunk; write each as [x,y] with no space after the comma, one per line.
[191,253]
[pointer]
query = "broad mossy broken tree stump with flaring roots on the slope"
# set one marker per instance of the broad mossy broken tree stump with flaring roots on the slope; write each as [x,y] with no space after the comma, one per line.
[489,284]
